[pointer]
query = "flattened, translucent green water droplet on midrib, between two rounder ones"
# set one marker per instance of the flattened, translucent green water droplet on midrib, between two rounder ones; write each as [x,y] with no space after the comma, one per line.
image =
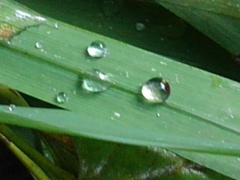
[96,81]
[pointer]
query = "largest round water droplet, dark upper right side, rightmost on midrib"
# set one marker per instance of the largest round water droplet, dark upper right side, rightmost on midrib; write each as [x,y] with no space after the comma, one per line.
[156,90]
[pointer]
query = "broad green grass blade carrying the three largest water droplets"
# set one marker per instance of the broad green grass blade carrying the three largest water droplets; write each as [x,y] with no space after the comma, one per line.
[202,105]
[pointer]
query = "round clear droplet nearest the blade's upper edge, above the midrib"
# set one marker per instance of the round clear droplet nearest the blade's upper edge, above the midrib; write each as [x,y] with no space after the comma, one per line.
[97,49]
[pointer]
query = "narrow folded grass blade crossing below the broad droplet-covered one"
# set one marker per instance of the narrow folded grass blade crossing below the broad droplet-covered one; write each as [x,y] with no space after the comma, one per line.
[210,152]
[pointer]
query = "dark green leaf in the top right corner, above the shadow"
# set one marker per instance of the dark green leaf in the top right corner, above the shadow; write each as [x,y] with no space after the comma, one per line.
[218,19]
